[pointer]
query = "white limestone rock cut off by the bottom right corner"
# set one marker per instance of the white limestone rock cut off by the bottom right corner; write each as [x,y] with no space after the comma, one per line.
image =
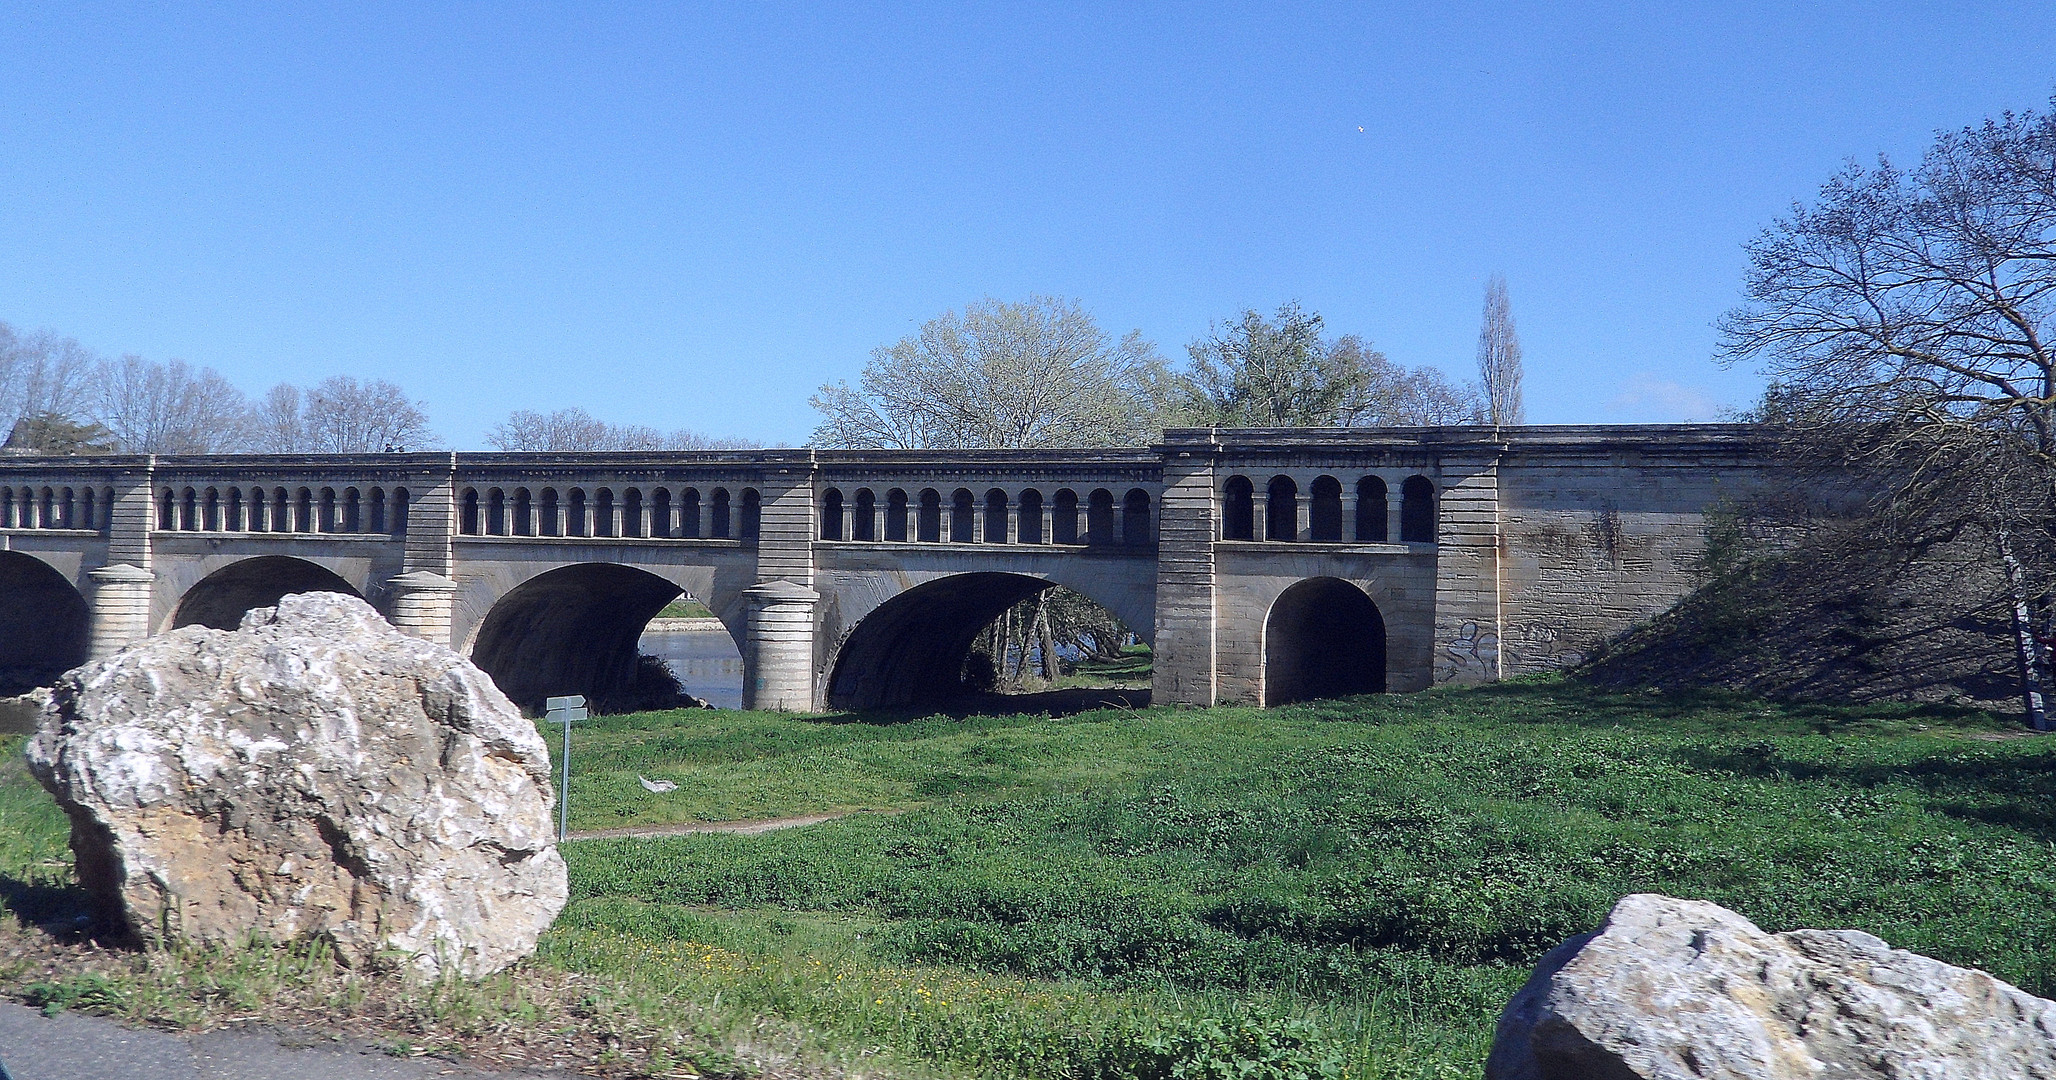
[1689,991]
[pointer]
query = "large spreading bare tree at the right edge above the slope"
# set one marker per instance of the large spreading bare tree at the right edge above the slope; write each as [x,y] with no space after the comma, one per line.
[1909,322]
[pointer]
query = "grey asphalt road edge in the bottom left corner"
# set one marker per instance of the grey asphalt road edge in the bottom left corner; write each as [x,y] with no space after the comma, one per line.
[96,1048]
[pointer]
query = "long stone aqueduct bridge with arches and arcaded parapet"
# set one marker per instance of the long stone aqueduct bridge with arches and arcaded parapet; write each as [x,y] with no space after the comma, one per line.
[1261,565]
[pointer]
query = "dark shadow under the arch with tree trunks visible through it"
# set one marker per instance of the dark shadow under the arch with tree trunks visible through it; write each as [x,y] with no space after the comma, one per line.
[912,649]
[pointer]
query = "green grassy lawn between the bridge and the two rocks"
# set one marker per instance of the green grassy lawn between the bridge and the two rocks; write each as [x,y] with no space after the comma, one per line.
[1335,888]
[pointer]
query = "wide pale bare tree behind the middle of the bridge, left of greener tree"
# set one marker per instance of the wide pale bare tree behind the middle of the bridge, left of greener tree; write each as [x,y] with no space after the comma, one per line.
[1037,373]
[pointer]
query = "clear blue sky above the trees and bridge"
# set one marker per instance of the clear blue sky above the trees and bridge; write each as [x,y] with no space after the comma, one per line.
[692,217]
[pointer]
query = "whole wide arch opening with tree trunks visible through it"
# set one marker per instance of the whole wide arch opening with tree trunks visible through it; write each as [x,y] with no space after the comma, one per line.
[984,639]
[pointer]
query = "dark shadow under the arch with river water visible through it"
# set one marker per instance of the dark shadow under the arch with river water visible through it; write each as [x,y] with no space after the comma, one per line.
[573,631]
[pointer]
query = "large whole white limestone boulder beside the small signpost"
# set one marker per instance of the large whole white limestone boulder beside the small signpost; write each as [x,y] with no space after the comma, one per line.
[314,775]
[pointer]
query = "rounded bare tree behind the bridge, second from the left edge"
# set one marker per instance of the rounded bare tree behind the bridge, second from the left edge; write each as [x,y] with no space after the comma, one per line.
[170,408]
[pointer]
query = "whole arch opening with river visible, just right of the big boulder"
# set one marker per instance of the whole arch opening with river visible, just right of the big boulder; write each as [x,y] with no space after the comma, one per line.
[587,631]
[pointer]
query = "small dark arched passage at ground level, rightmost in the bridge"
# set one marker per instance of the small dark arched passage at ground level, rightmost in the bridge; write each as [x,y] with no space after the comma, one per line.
[1325,639]
